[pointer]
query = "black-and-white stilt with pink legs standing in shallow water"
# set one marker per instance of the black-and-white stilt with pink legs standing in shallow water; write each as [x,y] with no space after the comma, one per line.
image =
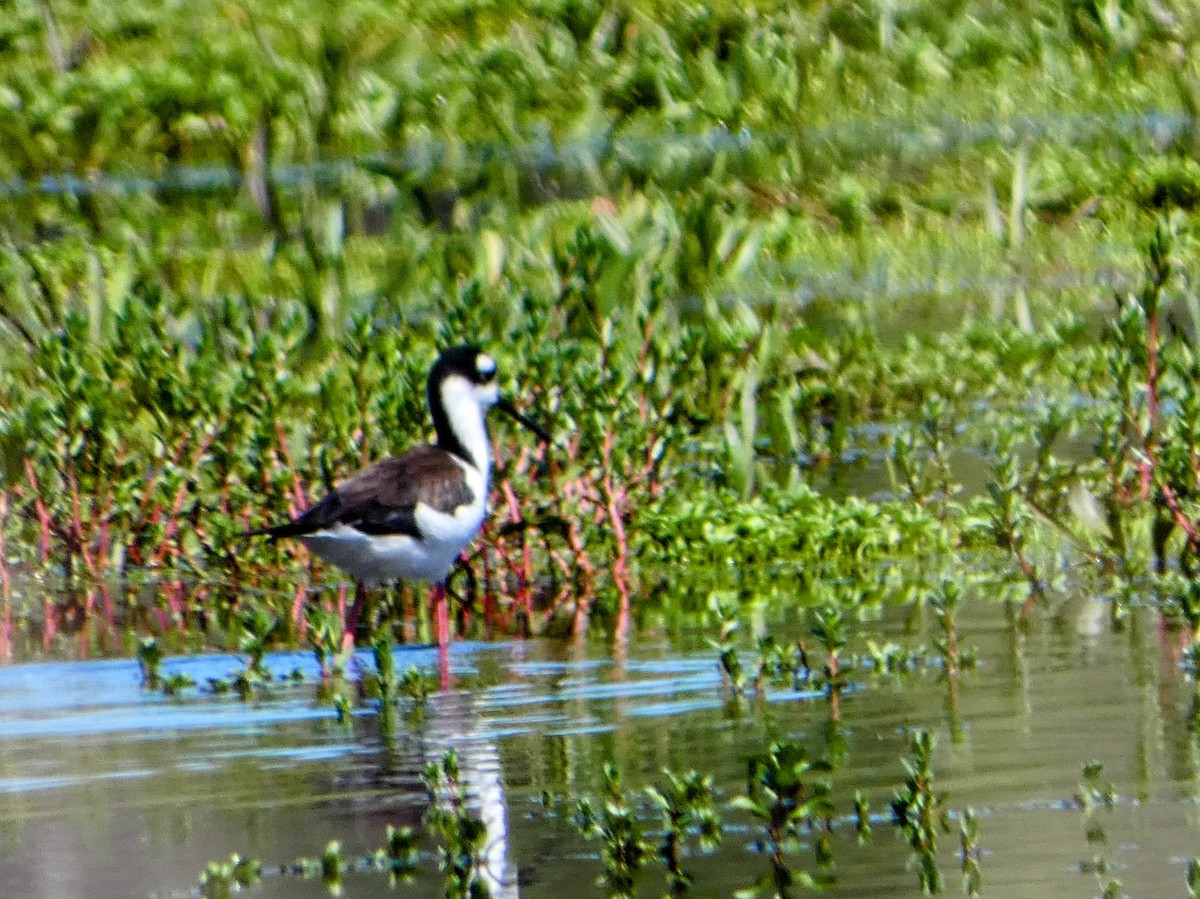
[409,518]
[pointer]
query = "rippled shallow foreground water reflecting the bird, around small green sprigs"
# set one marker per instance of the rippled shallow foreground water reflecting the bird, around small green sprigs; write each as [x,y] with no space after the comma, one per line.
[107,790]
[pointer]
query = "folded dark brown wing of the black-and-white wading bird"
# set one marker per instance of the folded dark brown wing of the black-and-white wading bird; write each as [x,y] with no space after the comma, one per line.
[382,499]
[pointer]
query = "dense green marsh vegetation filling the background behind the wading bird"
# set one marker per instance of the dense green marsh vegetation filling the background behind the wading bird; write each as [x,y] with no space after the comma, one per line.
[712,244]
